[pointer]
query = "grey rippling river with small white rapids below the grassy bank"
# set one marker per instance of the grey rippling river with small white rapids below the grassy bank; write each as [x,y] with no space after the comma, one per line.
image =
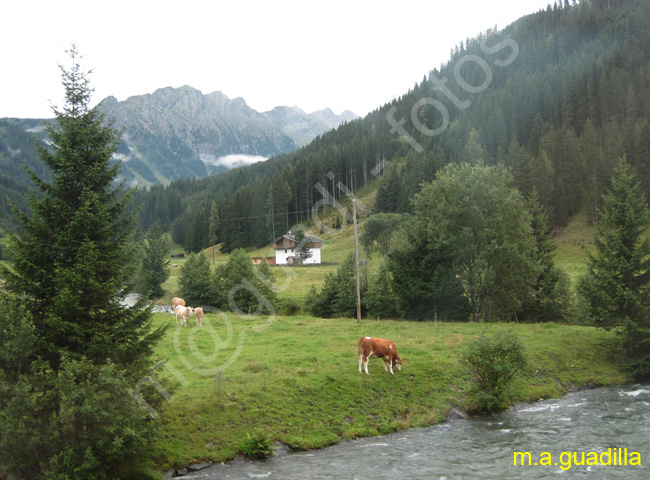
[565,438]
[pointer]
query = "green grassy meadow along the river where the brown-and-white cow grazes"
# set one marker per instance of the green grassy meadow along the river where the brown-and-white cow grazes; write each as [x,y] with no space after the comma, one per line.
[296,379]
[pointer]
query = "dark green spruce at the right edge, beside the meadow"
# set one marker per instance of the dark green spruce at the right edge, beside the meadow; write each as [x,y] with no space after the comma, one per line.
[617,285]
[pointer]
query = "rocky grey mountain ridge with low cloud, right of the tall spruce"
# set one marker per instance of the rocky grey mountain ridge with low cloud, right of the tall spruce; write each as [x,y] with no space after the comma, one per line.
[183,124]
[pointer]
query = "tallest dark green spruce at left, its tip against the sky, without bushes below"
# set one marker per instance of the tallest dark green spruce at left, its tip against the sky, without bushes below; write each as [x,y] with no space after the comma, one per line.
[76,250]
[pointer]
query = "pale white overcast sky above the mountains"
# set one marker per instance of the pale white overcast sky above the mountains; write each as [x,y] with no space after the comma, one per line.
[351,54]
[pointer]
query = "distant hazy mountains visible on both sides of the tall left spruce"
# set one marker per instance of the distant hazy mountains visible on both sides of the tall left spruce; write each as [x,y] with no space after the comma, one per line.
[172,134]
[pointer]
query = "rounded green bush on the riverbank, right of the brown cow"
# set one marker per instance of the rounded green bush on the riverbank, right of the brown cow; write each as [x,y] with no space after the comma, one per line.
[492,361]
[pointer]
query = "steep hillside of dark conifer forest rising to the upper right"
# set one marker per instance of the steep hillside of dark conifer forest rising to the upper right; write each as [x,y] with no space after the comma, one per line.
[558,96]
